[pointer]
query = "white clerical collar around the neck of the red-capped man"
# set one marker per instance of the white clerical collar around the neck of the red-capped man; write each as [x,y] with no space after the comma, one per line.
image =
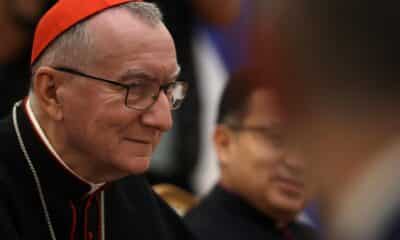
[39,130]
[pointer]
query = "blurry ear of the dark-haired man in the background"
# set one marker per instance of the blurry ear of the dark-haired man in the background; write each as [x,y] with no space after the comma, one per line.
[223,139]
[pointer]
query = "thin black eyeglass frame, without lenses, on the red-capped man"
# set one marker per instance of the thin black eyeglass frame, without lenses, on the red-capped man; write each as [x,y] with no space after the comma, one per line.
[163,87]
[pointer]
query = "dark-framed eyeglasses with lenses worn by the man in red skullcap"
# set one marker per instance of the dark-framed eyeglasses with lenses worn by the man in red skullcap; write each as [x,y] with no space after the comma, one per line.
[142,95]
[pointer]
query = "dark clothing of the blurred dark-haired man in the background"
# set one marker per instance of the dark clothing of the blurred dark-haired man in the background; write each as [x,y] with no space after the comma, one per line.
[224,215]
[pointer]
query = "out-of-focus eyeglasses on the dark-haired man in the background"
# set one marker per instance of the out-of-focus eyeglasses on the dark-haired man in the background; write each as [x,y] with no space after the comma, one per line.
[270,135]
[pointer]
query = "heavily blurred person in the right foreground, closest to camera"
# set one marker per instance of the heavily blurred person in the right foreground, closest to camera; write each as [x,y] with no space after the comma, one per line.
[341,91]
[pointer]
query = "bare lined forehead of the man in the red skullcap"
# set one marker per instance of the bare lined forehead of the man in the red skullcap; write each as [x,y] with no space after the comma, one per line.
[119,46]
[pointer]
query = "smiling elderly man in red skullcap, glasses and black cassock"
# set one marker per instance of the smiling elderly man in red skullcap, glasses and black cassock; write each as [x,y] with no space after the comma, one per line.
[103,87]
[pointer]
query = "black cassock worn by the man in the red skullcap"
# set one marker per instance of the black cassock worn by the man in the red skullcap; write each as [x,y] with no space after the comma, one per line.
[131,209]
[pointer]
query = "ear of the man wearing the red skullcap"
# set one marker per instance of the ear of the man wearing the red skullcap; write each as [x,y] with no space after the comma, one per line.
[46,83]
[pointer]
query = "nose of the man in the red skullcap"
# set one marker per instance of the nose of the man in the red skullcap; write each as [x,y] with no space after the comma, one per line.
[159,115]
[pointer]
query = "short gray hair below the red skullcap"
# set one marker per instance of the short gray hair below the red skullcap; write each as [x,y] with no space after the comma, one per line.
[74,47]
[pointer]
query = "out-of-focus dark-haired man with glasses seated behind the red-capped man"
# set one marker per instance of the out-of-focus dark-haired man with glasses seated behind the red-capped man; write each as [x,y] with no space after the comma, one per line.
[261,187]
